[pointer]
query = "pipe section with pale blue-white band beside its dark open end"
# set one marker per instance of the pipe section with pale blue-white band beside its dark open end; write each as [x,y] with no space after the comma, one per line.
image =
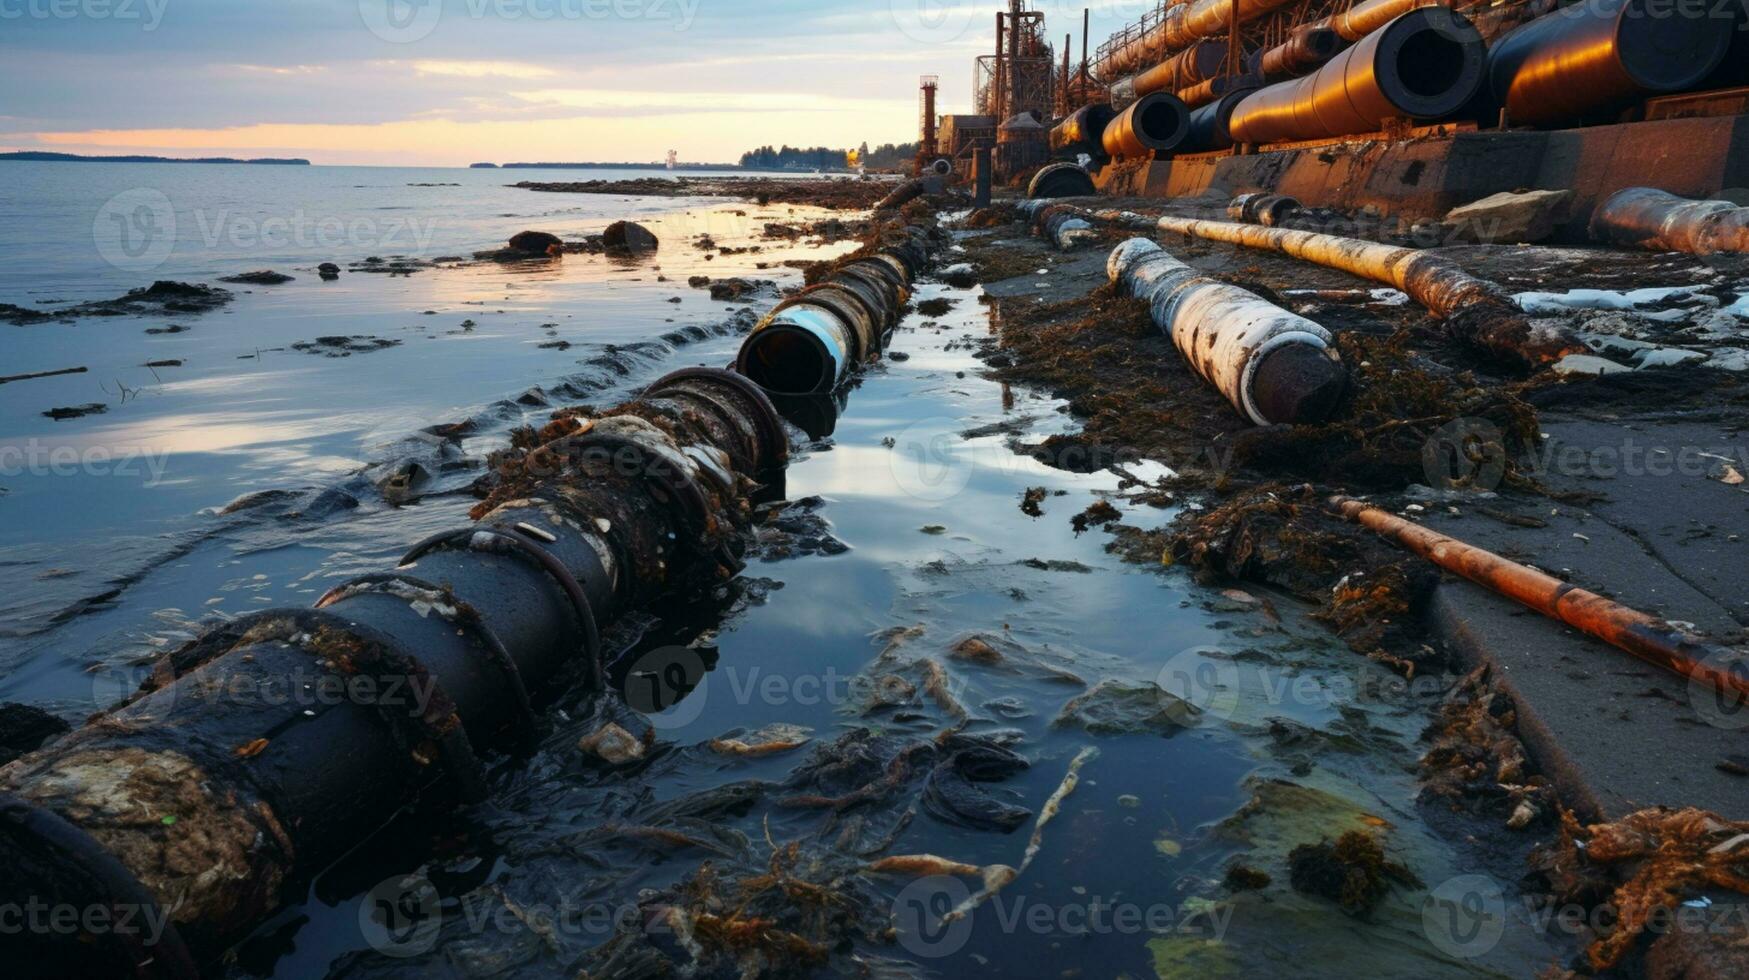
[816,339]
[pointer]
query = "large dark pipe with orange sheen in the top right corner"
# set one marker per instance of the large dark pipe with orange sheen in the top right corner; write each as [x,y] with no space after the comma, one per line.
[1589,60]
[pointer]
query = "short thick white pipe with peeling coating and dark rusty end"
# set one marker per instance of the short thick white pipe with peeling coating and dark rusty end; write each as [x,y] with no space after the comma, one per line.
[1272,367]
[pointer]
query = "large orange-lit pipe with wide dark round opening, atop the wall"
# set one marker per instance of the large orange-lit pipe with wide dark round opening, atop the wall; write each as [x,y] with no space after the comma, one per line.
[1423,66]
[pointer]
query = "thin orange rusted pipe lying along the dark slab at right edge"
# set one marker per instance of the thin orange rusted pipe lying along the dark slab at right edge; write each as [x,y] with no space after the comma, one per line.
[1626,629]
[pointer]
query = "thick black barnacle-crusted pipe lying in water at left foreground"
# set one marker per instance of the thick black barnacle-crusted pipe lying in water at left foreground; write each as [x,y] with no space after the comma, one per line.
[281,741]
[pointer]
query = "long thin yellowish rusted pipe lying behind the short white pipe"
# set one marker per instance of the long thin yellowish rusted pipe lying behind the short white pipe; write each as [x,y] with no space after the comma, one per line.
[1475,311]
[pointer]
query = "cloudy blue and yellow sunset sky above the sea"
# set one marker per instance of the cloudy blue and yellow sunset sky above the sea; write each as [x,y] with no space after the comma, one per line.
[449,83]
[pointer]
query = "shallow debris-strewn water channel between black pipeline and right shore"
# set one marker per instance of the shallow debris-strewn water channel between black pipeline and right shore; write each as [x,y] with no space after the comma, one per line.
[931,734]
